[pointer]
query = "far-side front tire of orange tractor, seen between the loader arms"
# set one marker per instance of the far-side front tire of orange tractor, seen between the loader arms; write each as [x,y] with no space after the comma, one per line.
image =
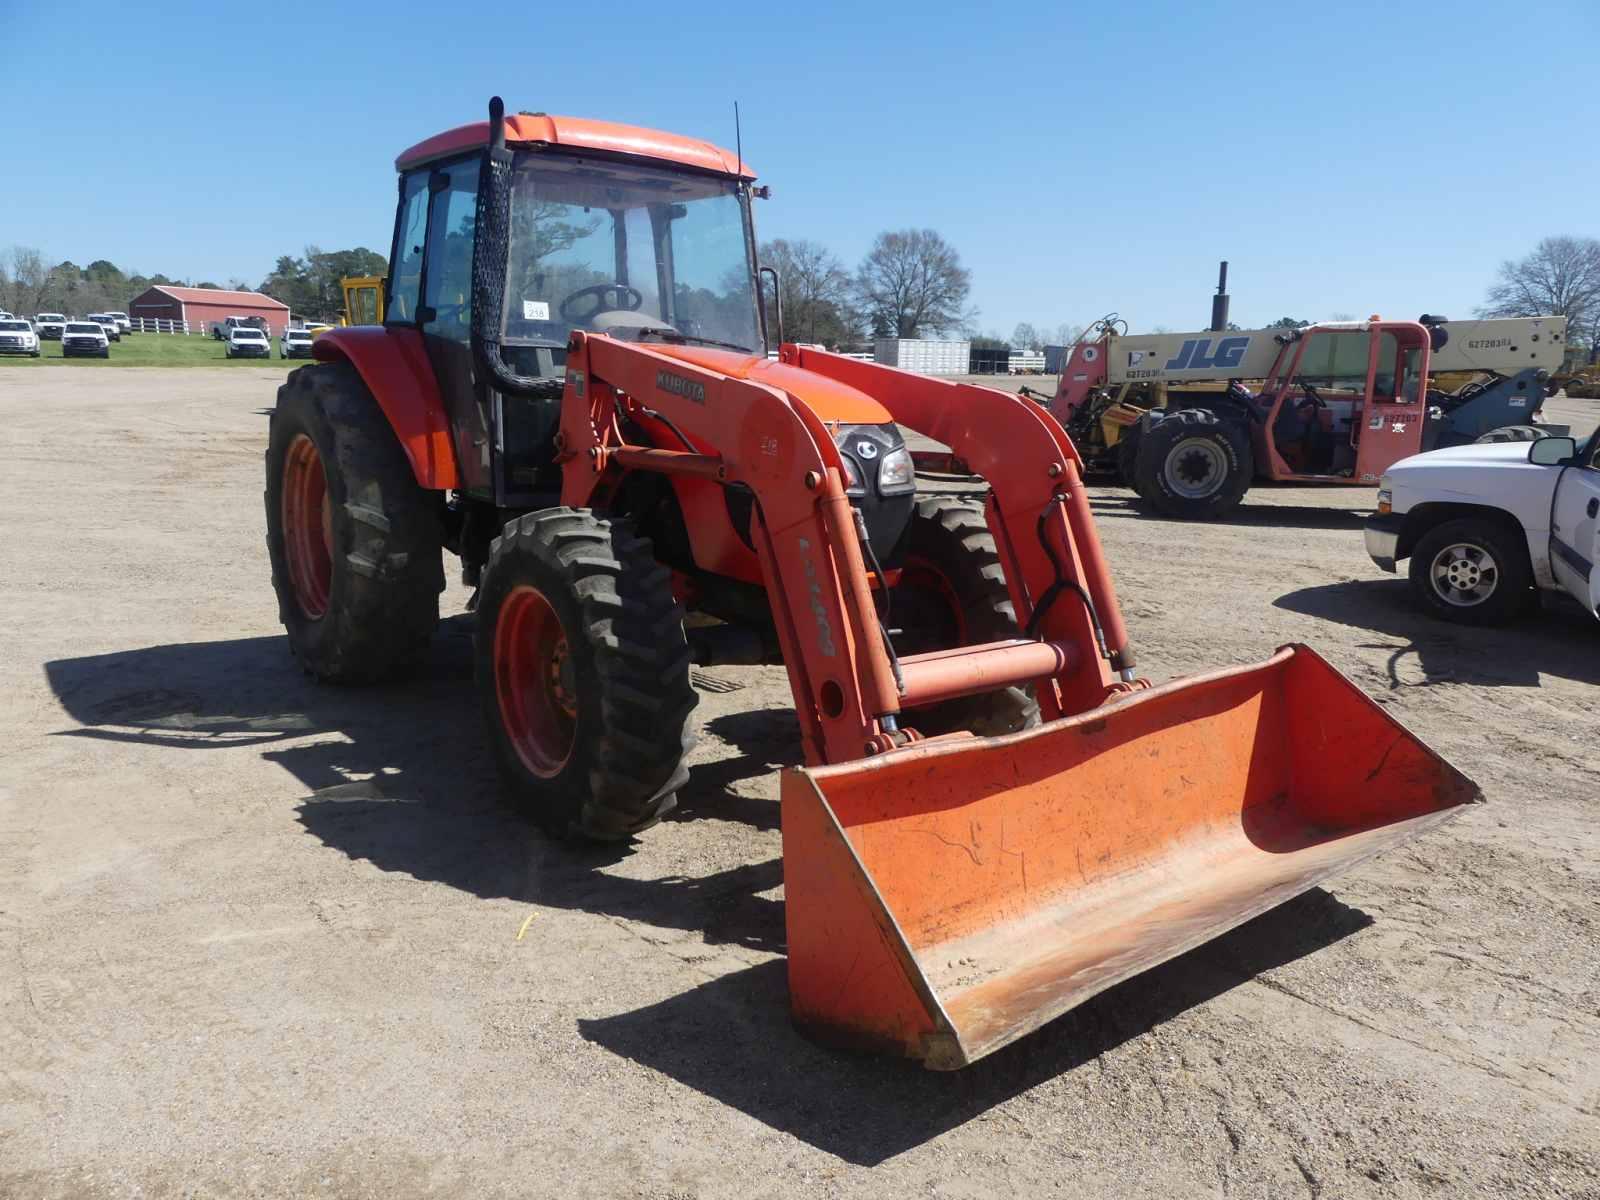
[953,594]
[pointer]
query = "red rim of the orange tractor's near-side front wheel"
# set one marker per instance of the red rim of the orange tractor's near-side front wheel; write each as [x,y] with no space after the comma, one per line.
[535,684]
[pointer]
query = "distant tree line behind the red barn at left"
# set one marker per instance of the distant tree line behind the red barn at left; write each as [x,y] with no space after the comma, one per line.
[308,284]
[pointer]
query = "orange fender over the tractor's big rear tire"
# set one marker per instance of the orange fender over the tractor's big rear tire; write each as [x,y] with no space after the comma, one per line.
[398,372]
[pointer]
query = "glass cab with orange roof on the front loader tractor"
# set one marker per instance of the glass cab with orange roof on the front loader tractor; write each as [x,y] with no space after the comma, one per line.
[567,226]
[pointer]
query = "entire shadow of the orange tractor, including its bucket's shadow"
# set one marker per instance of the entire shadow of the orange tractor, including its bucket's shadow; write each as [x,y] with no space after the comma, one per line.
[402,778]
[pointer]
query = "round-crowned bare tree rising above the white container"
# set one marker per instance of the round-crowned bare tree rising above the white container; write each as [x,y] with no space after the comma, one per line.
[913,282]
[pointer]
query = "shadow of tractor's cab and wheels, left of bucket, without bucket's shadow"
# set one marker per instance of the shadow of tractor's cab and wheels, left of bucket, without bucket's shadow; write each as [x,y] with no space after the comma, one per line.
[404,778]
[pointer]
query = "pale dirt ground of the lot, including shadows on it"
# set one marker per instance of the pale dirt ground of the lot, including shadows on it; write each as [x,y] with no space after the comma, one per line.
[265,938]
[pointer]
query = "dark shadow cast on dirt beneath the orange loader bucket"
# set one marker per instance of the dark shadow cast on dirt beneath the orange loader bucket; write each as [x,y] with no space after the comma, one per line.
[730,1039]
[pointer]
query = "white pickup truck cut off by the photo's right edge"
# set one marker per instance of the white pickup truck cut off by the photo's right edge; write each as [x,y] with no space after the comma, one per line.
[1486,526]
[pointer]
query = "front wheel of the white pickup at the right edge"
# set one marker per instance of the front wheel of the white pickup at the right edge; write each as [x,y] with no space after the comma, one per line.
[1471,570]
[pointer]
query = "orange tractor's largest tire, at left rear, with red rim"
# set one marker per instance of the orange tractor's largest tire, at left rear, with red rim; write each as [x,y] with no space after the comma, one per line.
[356,543]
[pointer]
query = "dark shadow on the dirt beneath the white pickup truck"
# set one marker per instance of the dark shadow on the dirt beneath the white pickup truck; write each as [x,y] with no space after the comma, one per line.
[1559,639]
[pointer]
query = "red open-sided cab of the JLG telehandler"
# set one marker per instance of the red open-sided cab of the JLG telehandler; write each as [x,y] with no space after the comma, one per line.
[1343,401]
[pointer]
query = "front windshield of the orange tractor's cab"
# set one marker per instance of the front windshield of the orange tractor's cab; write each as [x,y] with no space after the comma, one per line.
[626,249]
